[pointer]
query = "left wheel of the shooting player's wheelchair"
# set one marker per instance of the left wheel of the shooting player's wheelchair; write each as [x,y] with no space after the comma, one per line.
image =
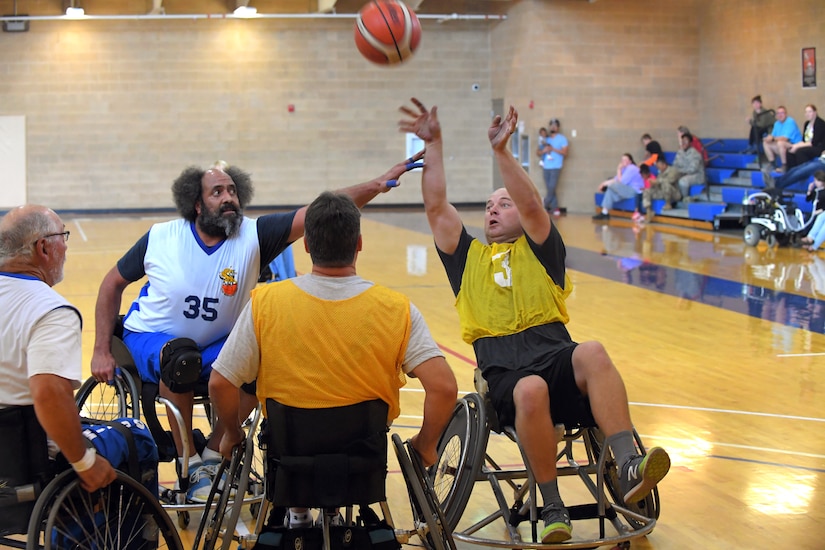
[460,455]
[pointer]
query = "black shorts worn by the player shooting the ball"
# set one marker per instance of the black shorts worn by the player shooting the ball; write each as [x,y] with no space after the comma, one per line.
[567,404]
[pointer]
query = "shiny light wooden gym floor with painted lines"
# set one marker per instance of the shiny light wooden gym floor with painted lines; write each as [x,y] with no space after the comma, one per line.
[721,346]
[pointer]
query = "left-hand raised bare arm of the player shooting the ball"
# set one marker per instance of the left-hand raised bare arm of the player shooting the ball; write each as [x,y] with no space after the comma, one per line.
[445,223]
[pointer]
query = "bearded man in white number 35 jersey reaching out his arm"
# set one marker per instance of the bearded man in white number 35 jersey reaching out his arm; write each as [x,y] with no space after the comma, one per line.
[200,270]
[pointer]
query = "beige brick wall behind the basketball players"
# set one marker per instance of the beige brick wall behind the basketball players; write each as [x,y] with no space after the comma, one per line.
[115,110]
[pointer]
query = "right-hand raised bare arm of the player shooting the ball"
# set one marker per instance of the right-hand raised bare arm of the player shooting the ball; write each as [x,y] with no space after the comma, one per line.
[533,217]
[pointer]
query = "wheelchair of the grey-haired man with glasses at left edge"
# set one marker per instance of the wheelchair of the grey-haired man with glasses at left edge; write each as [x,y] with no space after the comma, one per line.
[43,500]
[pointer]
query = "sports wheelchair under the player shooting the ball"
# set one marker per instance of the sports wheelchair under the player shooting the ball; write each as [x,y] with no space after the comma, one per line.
[463,460]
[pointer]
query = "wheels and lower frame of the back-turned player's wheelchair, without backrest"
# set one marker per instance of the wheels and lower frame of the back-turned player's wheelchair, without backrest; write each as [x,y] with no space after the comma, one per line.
[429,523]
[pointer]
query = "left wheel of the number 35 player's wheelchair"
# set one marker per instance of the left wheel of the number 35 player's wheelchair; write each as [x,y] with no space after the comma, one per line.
[99,401]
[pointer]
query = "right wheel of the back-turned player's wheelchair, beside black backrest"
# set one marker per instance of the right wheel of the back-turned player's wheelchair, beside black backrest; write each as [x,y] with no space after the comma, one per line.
[435,534]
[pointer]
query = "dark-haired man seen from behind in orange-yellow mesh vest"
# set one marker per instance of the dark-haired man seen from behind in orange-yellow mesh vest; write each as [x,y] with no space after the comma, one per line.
[331,338]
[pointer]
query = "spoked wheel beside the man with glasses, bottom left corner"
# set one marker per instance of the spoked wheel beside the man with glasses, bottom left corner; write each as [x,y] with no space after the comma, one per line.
[123,515]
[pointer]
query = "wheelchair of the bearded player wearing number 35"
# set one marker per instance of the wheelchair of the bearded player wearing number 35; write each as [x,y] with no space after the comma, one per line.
[128,395]
